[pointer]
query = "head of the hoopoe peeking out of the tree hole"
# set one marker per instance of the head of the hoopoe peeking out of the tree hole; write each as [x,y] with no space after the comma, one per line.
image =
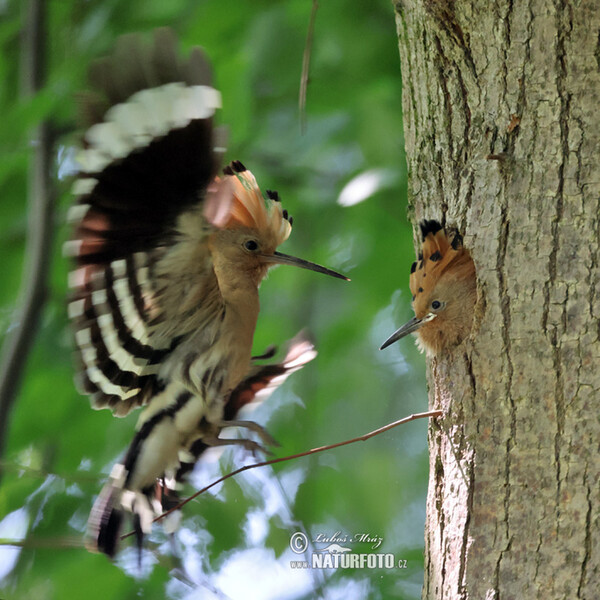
[444,291]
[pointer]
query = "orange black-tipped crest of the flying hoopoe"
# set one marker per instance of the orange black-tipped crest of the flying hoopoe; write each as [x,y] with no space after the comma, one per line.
[236,201]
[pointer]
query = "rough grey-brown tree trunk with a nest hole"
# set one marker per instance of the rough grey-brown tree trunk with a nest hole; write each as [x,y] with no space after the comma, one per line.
[502,107]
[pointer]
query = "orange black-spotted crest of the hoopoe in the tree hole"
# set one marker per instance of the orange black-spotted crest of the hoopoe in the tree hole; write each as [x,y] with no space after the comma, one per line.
[438,253]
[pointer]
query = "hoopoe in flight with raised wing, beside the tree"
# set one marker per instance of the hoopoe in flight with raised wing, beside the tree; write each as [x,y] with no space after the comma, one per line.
[169,257]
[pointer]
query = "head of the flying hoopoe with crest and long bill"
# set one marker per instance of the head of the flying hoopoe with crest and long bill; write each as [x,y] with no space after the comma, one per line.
[249,227]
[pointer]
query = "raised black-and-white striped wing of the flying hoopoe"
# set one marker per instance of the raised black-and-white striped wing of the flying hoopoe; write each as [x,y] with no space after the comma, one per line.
[148,157]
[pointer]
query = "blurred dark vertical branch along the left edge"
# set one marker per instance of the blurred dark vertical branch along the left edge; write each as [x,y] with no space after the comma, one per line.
[33,292]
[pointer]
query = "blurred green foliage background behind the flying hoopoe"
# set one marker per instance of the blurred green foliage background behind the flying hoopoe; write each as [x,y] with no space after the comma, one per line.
[234,540]
